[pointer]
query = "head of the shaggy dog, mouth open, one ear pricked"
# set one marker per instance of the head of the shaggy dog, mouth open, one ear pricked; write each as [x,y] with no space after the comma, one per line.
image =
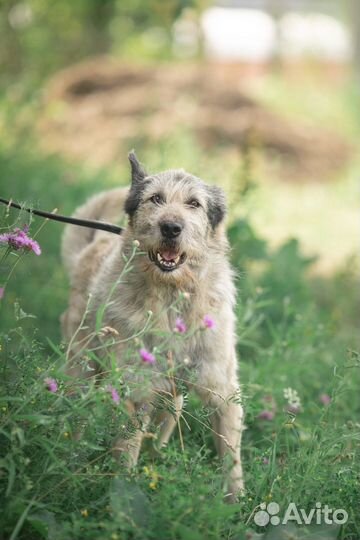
[175,217]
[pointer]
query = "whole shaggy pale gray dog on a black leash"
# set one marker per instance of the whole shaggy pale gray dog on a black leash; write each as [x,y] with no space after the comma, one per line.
[181,270]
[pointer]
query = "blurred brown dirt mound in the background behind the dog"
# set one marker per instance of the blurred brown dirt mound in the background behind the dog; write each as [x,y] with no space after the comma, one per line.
[95,109]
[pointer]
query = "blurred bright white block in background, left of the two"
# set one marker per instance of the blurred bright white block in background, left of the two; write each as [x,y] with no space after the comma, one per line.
[238,34]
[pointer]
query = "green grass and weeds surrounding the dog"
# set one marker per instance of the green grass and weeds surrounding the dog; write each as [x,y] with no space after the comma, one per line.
[294,331]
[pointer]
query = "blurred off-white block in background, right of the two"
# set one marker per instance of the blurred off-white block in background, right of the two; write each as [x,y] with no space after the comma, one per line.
[314,35]
